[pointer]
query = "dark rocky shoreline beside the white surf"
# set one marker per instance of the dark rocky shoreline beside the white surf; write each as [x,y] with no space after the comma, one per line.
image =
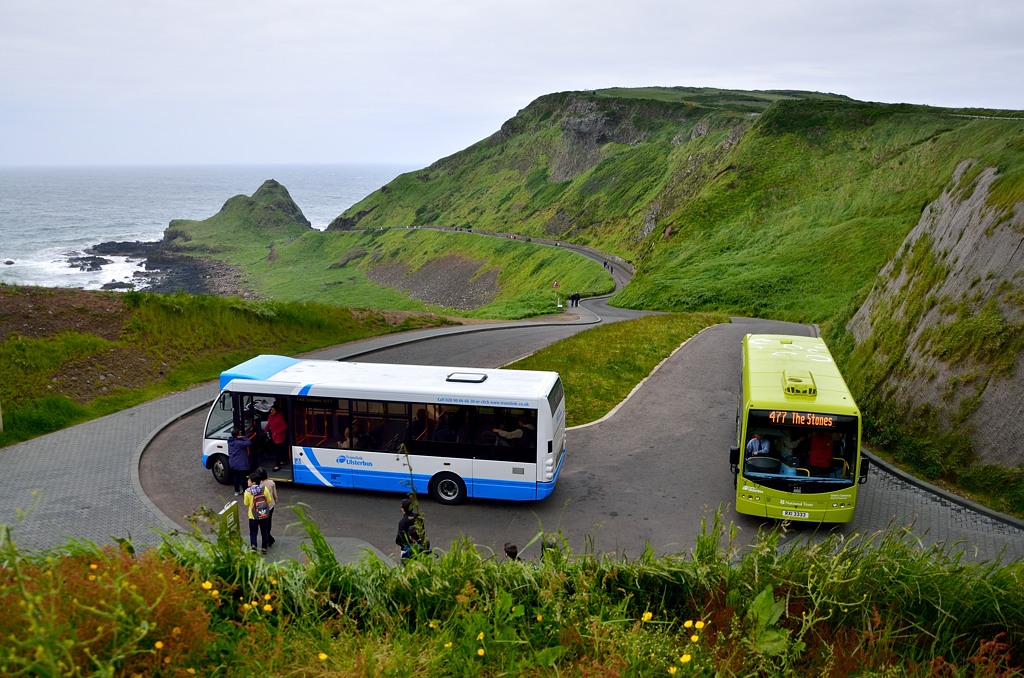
[166,272]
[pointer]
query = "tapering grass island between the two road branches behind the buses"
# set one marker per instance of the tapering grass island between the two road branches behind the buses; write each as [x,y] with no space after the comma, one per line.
[601,367]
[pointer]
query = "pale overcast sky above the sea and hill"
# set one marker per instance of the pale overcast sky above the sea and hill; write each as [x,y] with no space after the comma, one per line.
[87,82]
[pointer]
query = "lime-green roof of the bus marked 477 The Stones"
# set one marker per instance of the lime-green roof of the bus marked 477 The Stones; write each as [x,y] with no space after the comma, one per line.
[785,371]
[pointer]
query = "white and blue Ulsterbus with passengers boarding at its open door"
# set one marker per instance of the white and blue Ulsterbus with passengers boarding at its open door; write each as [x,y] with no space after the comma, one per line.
[451,433]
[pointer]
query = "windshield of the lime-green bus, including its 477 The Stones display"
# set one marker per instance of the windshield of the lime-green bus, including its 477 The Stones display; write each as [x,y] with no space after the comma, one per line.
[800,452]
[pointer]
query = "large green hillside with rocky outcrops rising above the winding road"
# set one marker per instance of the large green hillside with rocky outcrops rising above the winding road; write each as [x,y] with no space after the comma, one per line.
[784,205]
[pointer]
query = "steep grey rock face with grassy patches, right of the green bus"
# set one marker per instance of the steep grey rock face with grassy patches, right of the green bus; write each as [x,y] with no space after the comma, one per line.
[943,331]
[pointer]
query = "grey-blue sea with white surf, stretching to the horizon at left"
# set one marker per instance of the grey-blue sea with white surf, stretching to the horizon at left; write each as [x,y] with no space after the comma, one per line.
[52,215]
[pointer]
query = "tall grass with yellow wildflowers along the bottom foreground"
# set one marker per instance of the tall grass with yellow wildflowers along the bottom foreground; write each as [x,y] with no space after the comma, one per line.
[204,605]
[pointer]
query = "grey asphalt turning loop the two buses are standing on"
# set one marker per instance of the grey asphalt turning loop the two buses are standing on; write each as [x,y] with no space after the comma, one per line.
[650,474]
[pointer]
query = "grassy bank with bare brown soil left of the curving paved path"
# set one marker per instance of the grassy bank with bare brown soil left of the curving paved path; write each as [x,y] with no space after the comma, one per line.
[169,343]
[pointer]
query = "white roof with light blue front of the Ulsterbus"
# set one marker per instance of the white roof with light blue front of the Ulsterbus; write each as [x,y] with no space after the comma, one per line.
[332,378]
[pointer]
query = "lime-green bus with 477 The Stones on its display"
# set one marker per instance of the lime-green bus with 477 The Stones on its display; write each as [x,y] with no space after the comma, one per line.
[798,434]
